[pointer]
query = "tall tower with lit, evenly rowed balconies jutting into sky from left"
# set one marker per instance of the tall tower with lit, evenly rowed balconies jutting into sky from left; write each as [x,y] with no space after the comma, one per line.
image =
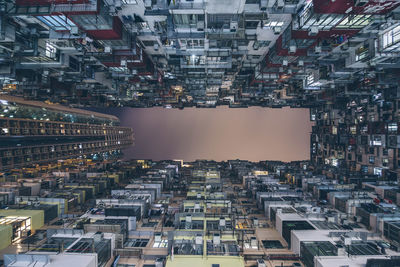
[33,132]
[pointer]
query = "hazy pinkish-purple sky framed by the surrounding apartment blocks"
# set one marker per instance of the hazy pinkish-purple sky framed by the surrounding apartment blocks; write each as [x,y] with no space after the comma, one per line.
[219,134]
